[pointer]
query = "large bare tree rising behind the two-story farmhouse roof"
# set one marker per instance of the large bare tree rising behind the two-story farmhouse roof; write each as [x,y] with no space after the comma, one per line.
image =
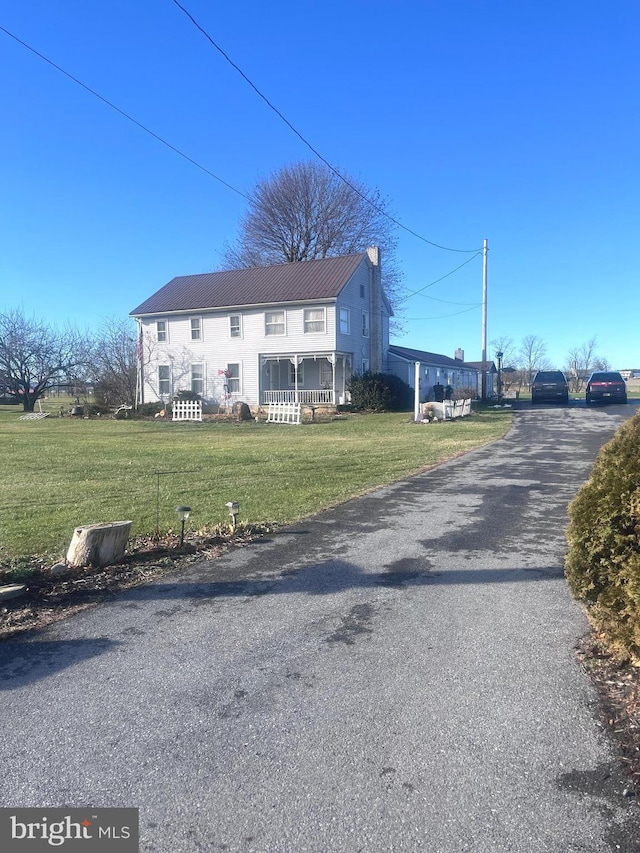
[304,212]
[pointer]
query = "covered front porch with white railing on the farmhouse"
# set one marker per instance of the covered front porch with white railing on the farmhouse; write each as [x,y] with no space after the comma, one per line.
[318,378]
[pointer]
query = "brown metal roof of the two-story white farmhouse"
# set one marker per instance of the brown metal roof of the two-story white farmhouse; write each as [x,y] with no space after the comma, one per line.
[296,282]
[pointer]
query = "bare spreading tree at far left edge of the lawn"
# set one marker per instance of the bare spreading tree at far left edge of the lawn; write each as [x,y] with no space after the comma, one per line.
[35,357]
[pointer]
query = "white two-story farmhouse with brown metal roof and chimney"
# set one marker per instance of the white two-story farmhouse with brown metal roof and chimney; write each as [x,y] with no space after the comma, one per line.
[284,333]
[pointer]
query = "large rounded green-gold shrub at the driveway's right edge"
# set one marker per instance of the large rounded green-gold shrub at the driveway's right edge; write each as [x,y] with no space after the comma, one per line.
[603,562]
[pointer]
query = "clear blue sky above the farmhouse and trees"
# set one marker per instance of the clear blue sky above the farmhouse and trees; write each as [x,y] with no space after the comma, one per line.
[518,122]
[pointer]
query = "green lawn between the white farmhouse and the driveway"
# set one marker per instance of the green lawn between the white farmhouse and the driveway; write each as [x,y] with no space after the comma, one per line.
[60,473]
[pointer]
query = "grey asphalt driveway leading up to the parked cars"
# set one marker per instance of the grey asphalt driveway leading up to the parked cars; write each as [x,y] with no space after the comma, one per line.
[394,675]
